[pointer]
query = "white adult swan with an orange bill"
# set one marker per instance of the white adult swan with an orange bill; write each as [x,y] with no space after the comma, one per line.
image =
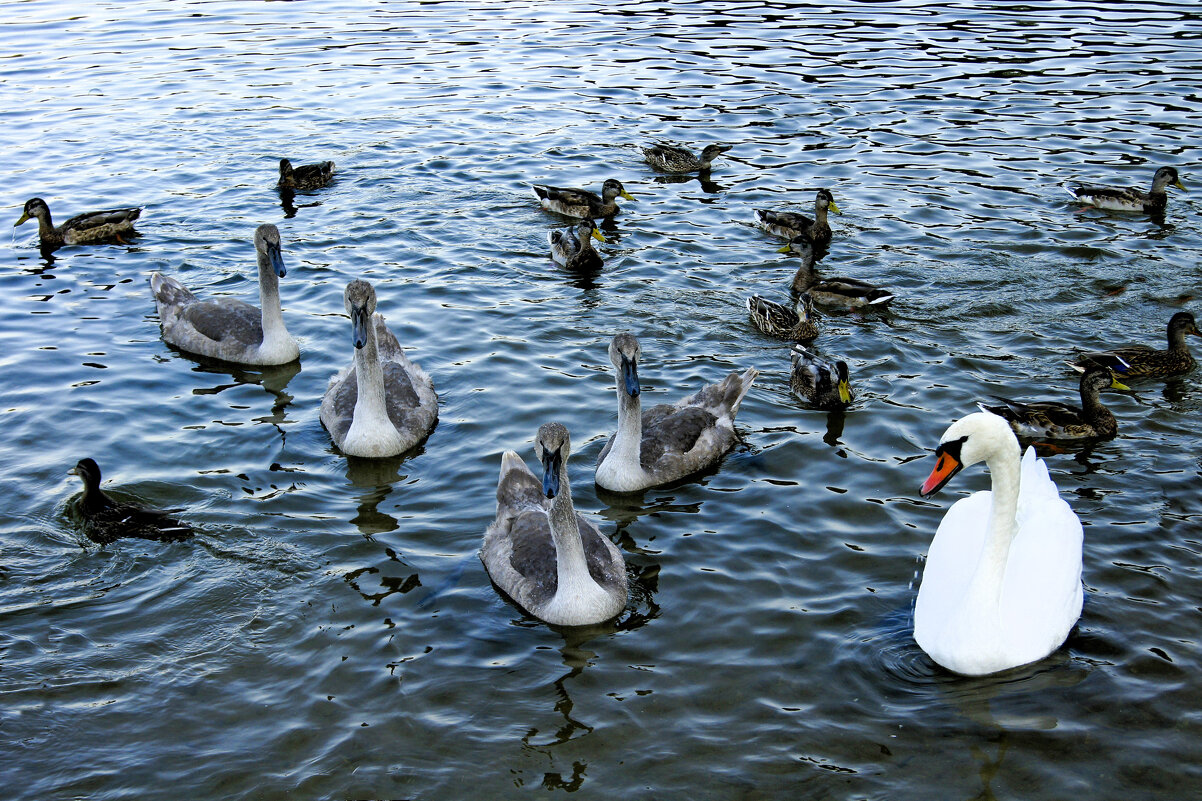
[1002,586]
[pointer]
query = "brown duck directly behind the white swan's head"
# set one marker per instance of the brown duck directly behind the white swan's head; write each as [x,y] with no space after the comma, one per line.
[1056,420]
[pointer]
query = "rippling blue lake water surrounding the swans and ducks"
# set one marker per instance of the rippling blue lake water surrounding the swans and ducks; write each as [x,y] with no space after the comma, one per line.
[331,633]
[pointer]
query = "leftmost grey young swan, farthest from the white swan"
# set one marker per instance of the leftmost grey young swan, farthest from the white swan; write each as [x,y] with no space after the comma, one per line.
[229,329]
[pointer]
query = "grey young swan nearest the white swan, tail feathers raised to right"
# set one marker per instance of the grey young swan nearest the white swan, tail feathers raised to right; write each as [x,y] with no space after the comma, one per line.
[668,442]
